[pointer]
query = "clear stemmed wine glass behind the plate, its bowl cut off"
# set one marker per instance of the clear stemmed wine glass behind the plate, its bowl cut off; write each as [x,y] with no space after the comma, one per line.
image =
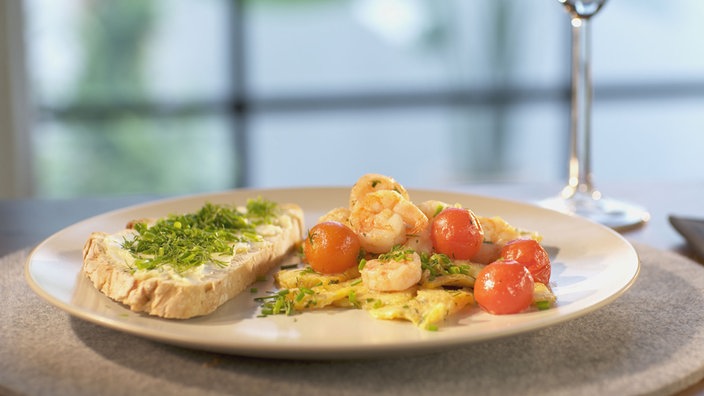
[579,196]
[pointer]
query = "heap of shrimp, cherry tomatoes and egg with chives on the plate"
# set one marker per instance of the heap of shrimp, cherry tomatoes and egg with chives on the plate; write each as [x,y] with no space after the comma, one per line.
[420,262]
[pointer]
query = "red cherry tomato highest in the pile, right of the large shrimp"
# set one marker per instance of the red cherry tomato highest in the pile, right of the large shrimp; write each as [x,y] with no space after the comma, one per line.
[457,233]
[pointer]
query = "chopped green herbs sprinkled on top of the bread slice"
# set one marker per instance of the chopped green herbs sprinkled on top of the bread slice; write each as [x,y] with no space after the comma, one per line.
[193,239]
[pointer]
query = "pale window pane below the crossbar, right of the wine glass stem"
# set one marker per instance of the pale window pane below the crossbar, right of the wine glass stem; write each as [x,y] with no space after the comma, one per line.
[649,140]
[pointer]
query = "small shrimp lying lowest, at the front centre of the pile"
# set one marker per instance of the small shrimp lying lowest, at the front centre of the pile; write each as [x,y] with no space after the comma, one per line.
[392,274]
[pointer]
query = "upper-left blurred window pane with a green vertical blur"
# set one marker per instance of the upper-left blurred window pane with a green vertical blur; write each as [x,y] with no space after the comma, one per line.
[165,50]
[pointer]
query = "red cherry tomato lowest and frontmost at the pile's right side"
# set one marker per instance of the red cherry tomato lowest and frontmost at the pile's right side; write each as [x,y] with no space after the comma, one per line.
[504,287]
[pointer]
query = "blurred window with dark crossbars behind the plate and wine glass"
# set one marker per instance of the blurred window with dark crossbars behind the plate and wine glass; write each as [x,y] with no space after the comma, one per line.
[101,97]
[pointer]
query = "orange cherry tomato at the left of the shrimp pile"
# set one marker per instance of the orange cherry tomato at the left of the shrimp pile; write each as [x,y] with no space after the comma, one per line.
[331,247]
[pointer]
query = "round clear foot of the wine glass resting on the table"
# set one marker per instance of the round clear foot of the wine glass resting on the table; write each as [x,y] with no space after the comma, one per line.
[610,212]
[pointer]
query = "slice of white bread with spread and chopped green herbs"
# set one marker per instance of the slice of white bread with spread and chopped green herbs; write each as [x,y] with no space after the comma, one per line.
[187,265]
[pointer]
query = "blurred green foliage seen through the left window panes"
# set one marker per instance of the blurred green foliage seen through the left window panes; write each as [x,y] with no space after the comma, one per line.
[101,144]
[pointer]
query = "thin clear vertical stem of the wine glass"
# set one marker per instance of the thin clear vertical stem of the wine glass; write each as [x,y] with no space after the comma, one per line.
[580,175]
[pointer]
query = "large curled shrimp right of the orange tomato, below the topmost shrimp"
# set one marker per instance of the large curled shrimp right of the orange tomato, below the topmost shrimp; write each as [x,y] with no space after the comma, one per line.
[384,218]
